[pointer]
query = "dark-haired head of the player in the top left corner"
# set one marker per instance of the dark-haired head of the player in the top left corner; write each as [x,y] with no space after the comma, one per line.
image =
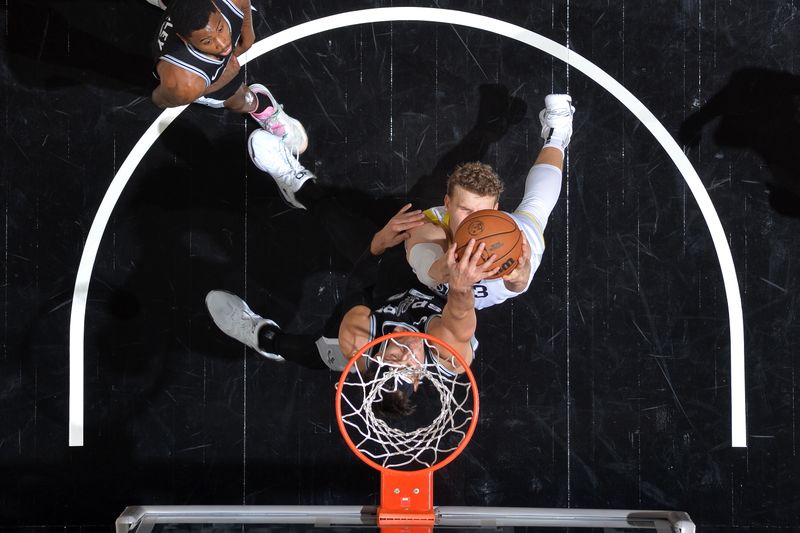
[201,24]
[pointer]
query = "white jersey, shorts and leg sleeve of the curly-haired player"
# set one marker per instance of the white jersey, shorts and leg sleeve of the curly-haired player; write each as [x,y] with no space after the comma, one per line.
[542,189]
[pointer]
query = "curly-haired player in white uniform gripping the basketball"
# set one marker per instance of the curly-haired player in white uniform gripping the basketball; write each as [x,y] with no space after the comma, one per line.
[475,186]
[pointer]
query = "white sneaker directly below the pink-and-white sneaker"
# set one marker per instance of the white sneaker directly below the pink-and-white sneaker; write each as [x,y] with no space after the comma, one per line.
[270,154]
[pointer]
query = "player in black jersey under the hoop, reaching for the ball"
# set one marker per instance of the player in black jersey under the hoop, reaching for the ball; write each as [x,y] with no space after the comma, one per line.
[362,318]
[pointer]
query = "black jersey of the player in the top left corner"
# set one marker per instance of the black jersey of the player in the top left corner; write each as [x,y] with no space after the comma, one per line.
[171,48]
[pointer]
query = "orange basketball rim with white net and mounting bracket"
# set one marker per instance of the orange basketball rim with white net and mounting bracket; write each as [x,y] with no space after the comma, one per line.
[407,450]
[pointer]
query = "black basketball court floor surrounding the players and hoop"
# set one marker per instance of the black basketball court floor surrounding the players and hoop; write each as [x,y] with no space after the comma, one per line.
[607,385]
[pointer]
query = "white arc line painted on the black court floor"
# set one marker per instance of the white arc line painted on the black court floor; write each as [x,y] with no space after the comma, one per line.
[450,17]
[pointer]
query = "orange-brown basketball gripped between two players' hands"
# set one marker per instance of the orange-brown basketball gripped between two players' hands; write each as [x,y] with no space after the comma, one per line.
[498,231]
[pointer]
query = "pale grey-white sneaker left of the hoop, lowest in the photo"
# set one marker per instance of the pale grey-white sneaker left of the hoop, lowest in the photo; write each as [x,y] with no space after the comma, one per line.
[232,315]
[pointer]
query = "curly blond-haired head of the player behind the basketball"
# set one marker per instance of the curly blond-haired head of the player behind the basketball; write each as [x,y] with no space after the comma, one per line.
[471,187]
